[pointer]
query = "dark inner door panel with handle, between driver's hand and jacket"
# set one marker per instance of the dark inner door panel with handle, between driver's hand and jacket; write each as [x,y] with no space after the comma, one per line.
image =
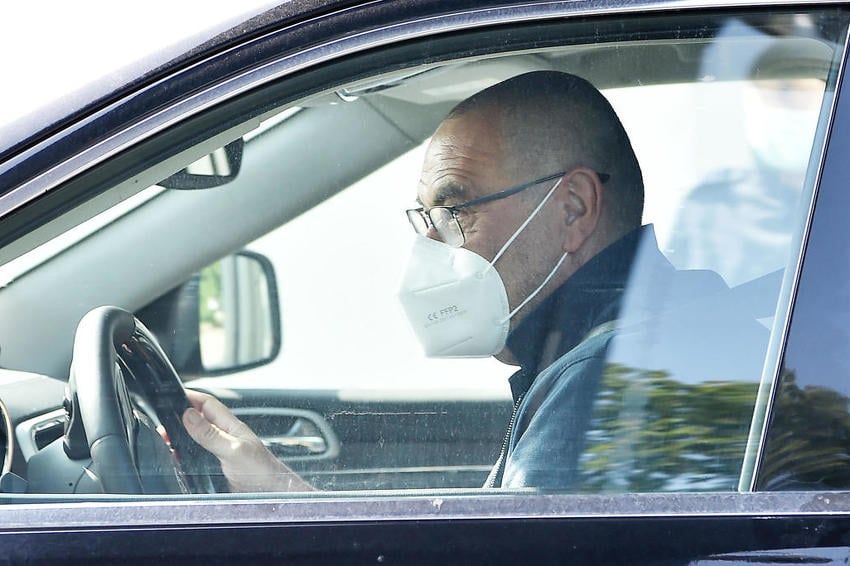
[381,444]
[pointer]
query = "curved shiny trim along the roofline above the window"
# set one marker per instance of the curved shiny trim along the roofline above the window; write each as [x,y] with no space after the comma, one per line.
[329,51]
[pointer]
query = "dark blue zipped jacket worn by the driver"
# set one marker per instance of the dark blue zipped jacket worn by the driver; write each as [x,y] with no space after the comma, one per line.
[626,308]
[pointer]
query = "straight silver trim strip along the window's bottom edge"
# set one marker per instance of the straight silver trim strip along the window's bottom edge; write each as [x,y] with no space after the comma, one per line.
[112,512]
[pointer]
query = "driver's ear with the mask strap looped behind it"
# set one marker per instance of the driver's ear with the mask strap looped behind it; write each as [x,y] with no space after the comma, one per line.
[582,207]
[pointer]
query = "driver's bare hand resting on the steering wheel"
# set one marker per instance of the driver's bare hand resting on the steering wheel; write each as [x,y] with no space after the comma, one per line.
[247,464]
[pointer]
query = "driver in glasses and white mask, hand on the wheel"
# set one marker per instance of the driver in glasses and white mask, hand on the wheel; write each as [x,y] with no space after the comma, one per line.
[531,202]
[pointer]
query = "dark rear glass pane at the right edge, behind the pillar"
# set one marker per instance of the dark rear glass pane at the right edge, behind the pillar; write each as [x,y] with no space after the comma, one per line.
[806,447]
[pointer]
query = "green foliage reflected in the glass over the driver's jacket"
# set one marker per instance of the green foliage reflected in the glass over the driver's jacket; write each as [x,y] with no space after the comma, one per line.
[652,433]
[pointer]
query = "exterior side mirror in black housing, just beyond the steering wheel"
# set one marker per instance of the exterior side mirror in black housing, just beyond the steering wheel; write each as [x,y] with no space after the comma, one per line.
[226,318]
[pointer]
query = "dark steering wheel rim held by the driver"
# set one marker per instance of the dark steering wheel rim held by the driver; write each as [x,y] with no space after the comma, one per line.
[112,347]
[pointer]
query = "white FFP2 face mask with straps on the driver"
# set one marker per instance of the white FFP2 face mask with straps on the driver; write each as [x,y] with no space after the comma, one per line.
[455,299]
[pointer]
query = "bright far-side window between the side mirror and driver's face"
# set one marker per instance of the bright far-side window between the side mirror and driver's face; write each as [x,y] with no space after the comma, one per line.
[378,236]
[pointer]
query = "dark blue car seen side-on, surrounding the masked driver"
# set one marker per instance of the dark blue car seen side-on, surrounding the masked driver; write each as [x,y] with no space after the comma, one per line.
[243,195]
